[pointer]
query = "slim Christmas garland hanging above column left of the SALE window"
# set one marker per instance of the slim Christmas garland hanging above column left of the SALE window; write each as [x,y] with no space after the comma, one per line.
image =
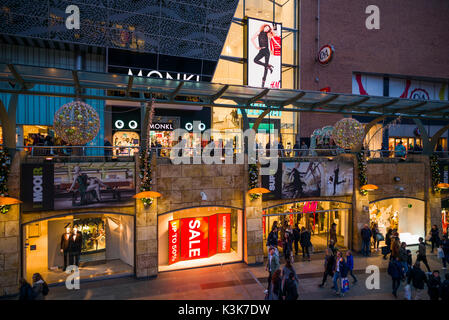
[145,158]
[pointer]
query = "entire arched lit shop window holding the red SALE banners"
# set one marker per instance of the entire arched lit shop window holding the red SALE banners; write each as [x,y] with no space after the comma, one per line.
[198,237]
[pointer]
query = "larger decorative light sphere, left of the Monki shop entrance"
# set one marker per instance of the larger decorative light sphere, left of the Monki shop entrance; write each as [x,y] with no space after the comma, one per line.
[77,123]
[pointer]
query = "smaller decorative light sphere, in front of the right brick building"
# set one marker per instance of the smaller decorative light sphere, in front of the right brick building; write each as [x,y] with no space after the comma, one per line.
[347,133]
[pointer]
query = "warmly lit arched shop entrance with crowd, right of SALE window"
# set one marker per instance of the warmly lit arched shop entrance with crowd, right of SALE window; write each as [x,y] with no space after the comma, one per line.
[325,220]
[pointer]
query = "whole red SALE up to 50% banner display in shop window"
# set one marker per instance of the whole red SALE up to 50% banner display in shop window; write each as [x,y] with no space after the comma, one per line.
[200,237]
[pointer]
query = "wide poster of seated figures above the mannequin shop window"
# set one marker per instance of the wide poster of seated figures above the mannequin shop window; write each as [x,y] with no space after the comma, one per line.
[94,184]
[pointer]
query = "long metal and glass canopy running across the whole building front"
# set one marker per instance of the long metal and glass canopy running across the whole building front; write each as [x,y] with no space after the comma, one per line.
[182,92]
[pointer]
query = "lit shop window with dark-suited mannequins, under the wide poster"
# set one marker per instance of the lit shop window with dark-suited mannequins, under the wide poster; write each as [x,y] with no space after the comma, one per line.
[106,242]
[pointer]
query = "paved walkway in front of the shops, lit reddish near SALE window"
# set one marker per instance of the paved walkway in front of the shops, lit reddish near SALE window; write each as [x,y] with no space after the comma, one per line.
[234,281]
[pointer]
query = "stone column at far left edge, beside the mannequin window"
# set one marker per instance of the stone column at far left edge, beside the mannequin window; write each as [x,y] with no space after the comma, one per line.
[9,251]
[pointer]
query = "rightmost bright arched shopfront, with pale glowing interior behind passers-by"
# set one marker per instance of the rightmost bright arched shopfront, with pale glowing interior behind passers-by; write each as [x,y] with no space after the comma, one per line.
[405,215]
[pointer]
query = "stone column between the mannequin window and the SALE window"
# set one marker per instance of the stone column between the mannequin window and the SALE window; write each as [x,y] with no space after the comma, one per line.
[146,240]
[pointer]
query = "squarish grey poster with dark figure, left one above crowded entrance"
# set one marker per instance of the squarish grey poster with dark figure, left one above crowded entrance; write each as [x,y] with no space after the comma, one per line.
[301,179]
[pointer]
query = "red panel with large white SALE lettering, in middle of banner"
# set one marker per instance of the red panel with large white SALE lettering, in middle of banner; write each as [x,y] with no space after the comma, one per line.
[194,238]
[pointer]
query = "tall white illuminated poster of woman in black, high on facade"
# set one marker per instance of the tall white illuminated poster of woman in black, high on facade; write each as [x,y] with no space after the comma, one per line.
[264,54]
